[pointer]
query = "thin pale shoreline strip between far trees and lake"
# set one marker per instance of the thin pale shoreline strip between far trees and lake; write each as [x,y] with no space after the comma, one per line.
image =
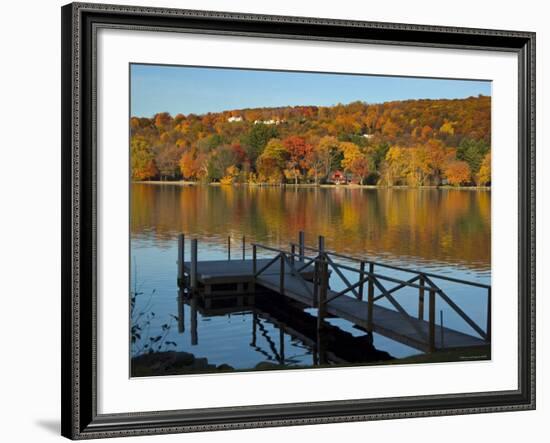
[309,185]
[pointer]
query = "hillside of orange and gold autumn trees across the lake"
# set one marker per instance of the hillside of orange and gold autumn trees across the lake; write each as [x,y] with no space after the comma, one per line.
[412,142]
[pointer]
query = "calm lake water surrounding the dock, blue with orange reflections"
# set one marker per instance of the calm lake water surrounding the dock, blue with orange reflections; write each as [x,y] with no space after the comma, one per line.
[441,231]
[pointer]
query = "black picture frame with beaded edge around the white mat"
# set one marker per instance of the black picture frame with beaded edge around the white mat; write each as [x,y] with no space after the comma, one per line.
[79,179]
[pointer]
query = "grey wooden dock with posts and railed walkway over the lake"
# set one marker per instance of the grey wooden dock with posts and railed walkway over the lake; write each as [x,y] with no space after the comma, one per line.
[302,274]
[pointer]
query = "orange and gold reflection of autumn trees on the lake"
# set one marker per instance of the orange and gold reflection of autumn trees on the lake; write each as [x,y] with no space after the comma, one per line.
[441,225]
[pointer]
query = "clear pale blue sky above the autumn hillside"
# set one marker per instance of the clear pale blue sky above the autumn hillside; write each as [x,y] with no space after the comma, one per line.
[180,89]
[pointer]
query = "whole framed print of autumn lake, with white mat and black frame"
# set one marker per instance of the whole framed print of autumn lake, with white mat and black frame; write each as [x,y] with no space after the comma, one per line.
[274,221]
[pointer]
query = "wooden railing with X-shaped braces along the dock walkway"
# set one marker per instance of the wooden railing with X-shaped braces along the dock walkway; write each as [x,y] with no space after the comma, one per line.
[324,262]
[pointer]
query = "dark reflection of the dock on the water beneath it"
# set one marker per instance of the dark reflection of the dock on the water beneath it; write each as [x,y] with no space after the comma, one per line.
[331,345]
